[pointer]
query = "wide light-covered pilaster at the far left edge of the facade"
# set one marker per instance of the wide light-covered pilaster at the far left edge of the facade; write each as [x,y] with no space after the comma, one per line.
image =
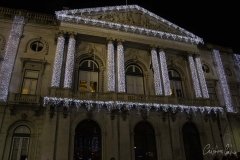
[9,56]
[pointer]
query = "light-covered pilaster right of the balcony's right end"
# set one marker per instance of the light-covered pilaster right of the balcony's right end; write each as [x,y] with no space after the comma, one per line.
[223,80]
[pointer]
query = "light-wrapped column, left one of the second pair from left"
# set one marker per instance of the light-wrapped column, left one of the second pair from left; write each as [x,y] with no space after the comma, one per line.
[110,67]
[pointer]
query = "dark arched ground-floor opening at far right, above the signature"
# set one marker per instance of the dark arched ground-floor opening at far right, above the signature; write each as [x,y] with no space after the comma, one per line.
[192,144]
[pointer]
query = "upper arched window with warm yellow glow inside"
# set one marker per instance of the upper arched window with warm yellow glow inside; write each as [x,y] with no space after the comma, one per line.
[88,76]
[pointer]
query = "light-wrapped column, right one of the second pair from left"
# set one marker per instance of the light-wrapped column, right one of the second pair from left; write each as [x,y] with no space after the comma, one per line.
[120,67]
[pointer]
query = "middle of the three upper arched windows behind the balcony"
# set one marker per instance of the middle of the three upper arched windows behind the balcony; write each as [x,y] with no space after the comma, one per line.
[134,79]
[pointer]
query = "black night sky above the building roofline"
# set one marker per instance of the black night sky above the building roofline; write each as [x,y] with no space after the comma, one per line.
[214,21]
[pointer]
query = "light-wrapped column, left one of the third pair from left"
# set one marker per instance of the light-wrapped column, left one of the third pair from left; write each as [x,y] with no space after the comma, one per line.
[156,74]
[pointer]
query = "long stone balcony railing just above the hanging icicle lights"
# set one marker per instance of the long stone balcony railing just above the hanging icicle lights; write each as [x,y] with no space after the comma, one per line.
[112,96]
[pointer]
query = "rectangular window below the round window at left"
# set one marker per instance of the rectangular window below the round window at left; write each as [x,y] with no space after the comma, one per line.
[30,81]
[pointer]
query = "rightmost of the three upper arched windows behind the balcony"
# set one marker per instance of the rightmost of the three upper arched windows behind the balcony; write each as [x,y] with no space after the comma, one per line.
[175,83]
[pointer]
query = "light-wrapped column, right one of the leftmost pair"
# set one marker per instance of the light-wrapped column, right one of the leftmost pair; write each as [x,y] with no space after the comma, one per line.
[70,62]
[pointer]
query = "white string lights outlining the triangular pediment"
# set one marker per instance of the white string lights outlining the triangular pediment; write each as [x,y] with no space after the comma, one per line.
[80,16]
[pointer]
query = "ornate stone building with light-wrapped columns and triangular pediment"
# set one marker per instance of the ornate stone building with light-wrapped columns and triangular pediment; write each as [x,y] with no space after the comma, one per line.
[113,83]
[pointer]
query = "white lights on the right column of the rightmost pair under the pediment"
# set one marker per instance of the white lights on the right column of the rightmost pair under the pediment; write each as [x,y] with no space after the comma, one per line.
[201,78]
